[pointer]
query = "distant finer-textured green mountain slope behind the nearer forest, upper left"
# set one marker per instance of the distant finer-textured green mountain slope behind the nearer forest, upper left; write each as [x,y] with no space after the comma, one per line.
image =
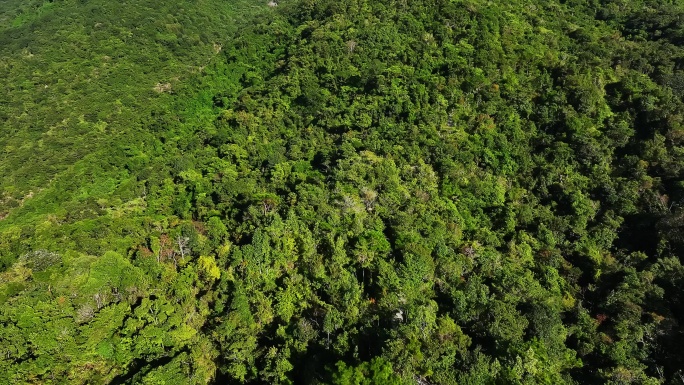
[80,76]
